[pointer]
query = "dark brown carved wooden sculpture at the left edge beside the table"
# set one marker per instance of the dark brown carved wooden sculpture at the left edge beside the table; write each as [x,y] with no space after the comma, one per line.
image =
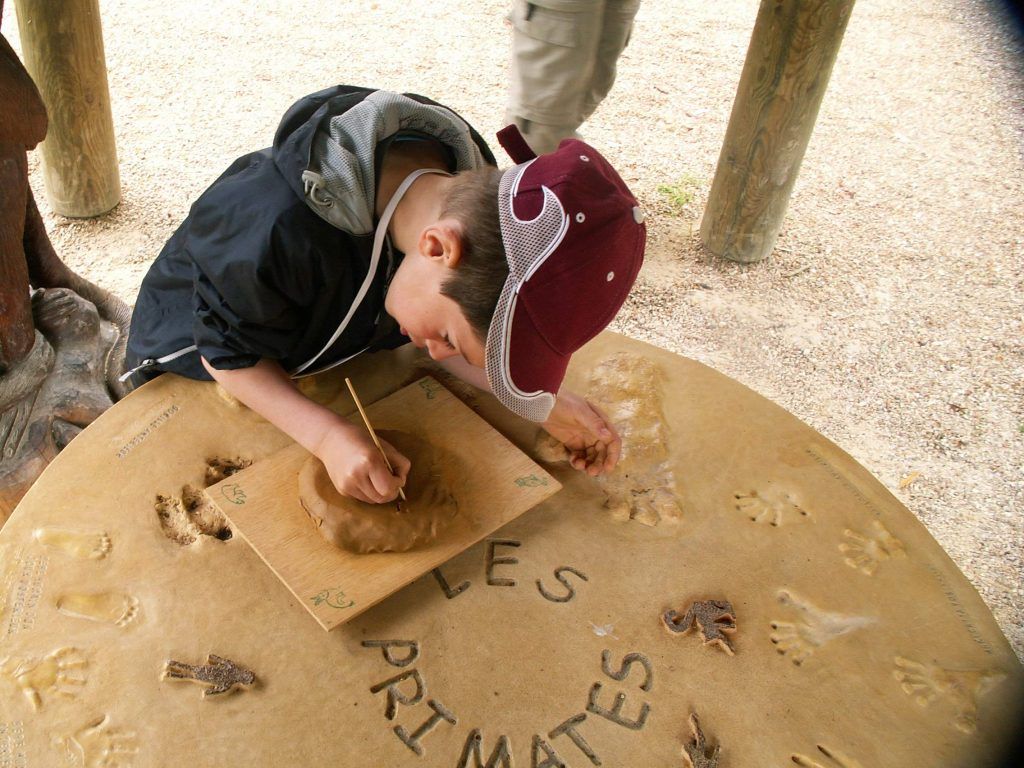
[62,338]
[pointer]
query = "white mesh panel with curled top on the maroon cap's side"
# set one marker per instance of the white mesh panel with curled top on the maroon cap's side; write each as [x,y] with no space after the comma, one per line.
[528,245]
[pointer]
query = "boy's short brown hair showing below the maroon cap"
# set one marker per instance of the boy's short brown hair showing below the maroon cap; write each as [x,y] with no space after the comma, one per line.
[483,270]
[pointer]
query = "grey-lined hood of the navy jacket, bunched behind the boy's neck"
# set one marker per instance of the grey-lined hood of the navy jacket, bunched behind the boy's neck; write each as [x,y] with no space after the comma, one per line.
[326,148]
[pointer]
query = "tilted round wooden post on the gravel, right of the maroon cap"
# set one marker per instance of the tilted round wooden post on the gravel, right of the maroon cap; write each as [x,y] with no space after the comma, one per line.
[790,60]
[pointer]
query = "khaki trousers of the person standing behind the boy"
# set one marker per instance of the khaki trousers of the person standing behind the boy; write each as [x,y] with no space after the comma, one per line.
[564,64]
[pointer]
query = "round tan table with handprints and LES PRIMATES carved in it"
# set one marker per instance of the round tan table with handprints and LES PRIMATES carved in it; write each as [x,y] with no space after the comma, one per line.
[740,593]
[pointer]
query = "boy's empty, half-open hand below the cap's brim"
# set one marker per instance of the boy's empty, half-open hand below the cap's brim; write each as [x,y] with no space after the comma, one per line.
[593,444]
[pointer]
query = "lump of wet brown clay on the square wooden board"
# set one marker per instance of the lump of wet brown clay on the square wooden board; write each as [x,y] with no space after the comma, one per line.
[362,528]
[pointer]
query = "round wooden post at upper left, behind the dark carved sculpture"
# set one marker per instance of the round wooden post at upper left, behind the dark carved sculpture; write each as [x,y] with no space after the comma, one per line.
[63,46]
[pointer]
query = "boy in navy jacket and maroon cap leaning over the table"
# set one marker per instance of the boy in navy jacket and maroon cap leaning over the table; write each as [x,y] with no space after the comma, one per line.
[378,219]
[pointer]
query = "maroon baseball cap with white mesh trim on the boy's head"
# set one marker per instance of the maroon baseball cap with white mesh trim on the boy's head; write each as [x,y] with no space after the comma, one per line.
[574,238]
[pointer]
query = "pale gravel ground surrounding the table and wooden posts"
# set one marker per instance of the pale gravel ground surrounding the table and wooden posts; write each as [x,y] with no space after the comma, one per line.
[889,317]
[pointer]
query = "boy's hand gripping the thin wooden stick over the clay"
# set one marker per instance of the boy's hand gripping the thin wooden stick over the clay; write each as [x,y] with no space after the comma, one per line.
[357,468]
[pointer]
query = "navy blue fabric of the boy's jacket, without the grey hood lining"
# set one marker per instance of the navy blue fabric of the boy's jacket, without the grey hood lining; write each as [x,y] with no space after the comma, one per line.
[253,273]
